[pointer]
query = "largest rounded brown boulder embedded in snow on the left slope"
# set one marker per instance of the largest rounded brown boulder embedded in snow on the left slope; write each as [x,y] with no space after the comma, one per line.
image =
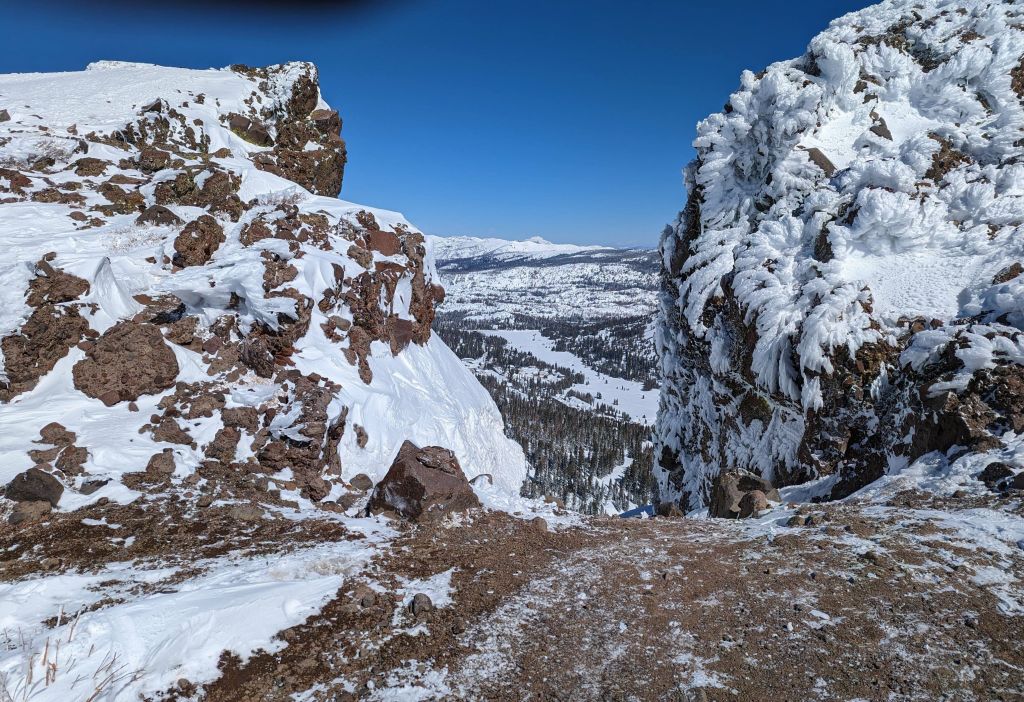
[129,361]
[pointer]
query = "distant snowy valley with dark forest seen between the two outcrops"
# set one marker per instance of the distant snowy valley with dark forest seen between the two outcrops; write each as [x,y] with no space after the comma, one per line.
[563,338]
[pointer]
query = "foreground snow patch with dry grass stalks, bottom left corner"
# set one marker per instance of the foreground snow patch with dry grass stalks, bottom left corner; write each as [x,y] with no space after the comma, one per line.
[159,635]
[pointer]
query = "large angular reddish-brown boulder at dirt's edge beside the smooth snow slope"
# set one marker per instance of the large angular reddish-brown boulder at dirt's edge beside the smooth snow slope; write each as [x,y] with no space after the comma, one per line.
[423,485]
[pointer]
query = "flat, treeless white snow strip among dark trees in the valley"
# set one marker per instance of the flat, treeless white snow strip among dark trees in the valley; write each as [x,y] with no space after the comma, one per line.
[626,397]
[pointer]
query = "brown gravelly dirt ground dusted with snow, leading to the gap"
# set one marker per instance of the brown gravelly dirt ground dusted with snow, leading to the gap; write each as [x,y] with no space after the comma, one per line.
[918,600]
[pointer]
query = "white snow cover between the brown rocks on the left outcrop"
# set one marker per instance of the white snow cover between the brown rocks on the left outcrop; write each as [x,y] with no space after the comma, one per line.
[423,393]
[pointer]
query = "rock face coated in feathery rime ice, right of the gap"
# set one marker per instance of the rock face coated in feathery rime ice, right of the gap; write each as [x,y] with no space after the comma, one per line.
[842,293]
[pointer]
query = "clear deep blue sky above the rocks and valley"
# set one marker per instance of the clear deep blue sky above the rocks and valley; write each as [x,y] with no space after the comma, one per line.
[569,120]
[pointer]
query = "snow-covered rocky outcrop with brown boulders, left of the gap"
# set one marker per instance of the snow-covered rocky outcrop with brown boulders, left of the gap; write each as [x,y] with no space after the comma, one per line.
[180,275]
